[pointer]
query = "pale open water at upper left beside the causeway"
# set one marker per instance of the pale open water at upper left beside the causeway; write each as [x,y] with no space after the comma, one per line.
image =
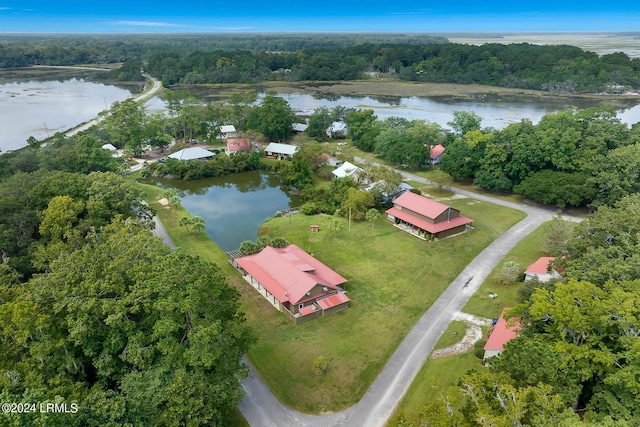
[42,107]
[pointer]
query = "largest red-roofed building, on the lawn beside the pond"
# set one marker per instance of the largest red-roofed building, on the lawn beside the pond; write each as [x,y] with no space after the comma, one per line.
[294,281]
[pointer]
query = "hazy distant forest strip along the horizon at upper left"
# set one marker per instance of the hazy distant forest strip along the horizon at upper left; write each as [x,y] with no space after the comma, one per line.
[66,49]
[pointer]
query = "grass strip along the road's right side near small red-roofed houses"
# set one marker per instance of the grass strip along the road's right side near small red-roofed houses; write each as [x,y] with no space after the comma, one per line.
[447,371]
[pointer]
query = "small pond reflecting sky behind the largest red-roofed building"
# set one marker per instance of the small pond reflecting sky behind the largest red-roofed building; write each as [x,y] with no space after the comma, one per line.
[233,206]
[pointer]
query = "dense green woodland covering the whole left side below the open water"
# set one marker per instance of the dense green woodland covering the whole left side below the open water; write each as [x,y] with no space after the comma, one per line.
[97,313]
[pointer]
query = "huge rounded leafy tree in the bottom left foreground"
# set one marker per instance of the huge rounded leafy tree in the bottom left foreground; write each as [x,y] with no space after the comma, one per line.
[130,330]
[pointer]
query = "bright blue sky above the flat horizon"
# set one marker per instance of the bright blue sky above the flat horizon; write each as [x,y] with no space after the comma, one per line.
[161,16]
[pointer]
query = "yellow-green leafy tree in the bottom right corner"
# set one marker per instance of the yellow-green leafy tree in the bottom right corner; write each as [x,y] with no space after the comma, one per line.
[595,329]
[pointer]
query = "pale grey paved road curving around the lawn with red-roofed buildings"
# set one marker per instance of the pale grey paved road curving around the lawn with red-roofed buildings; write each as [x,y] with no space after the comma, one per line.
[261,408]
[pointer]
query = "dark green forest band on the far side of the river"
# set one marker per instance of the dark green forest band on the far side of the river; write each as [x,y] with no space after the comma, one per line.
[562,69]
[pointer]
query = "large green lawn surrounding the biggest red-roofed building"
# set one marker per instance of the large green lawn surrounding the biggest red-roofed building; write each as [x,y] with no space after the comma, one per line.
[393,278]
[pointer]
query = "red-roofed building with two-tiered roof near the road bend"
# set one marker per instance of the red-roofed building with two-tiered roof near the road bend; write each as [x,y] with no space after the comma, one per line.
[425,217]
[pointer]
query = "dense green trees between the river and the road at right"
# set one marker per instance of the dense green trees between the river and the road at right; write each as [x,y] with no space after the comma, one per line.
[569,158]
